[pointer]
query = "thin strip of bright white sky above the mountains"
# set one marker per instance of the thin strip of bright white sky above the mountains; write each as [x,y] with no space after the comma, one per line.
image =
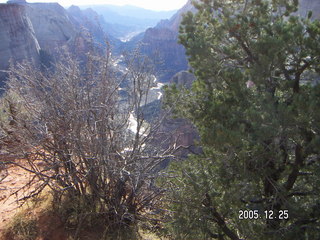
[149,4]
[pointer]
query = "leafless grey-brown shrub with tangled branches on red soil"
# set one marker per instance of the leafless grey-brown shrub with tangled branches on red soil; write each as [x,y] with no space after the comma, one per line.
[84,140]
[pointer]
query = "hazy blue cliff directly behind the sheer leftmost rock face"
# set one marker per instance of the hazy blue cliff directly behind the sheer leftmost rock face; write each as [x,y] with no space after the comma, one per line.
[56,27]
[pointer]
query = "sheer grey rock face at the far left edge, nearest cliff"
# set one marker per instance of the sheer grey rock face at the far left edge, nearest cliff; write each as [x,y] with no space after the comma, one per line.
[17,37]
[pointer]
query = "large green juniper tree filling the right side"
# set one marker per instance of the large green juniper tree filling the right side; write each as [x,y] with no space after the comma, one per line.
[256,105]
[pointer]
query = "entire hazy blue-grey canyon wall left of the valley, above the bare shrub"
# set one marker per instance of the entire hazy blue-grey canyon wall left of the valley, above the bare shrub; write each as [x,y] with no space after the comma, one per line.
[40,31]
